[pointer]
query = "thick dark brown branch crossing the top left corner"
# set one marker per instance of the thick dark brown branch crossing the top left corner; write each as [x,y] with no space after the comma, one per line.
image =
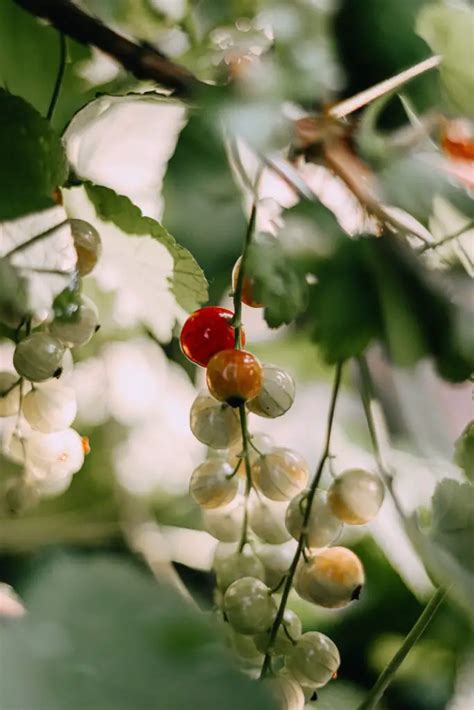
[143,62]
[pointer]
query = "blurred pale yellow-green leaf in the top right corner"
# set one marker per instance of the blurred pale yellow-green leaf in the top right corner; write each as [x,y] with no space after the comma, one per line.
[449,30]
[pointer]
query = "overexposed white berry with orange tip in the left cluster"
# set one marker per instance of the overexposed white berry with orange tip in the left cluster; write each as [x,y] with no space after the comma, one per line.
[54,455]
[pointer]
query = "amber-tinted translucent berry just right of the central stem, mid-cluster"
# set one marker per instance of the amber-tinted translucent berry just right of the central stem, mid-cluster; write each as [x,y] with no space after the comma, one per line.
[280,474]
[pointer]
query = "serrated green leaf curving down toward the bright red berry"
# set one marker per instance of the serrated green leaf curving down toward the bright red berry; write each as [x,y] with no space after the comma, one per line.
[189,284]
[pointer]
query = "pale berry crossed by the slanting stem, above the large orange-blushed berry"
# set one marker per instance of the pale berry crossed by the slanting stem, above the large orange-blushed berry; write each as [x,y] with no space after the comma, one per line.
[323,526]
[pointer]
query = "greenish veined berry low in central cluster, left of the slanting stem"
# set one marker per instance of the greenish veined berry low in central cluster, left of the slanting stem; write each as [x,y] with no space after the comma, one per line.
[249,606]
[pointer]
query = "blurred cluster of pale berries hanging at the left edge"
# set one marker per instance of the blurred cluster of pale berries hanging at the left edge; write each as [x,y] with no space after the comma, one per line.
[42,408]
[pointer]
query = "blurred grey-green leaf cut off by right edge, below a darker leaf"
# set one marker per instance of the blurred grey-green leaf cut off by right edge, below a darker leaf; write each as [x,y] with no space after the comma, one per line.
[453,521]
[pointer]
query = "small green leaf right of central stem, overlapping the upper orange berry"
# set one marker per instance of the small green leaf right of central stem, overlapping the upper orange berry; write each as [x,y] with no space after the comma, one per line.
[277,282]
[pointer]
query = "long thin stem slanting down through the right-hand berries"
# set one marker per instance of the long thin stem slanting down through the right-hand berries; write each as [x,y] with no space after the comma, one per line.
[301,542]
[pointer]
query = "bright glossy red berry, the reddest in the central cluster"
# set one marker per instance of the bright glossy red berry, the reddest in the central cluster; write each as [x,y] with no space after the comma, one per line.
[207,332]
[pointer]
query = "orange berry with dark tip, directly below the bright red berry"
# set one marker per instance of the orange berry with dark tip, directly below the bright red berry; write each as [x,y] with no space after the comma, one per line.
[234,376]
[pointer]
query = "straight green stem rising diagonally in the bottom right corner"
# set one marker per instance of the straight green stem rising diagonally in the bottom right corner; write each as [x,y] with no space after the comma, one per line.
[387,675]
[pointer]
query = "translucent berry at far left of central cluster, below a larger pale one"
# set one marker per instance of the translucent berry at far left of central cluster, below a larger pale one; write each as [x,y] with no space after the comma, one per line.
[211,485]
